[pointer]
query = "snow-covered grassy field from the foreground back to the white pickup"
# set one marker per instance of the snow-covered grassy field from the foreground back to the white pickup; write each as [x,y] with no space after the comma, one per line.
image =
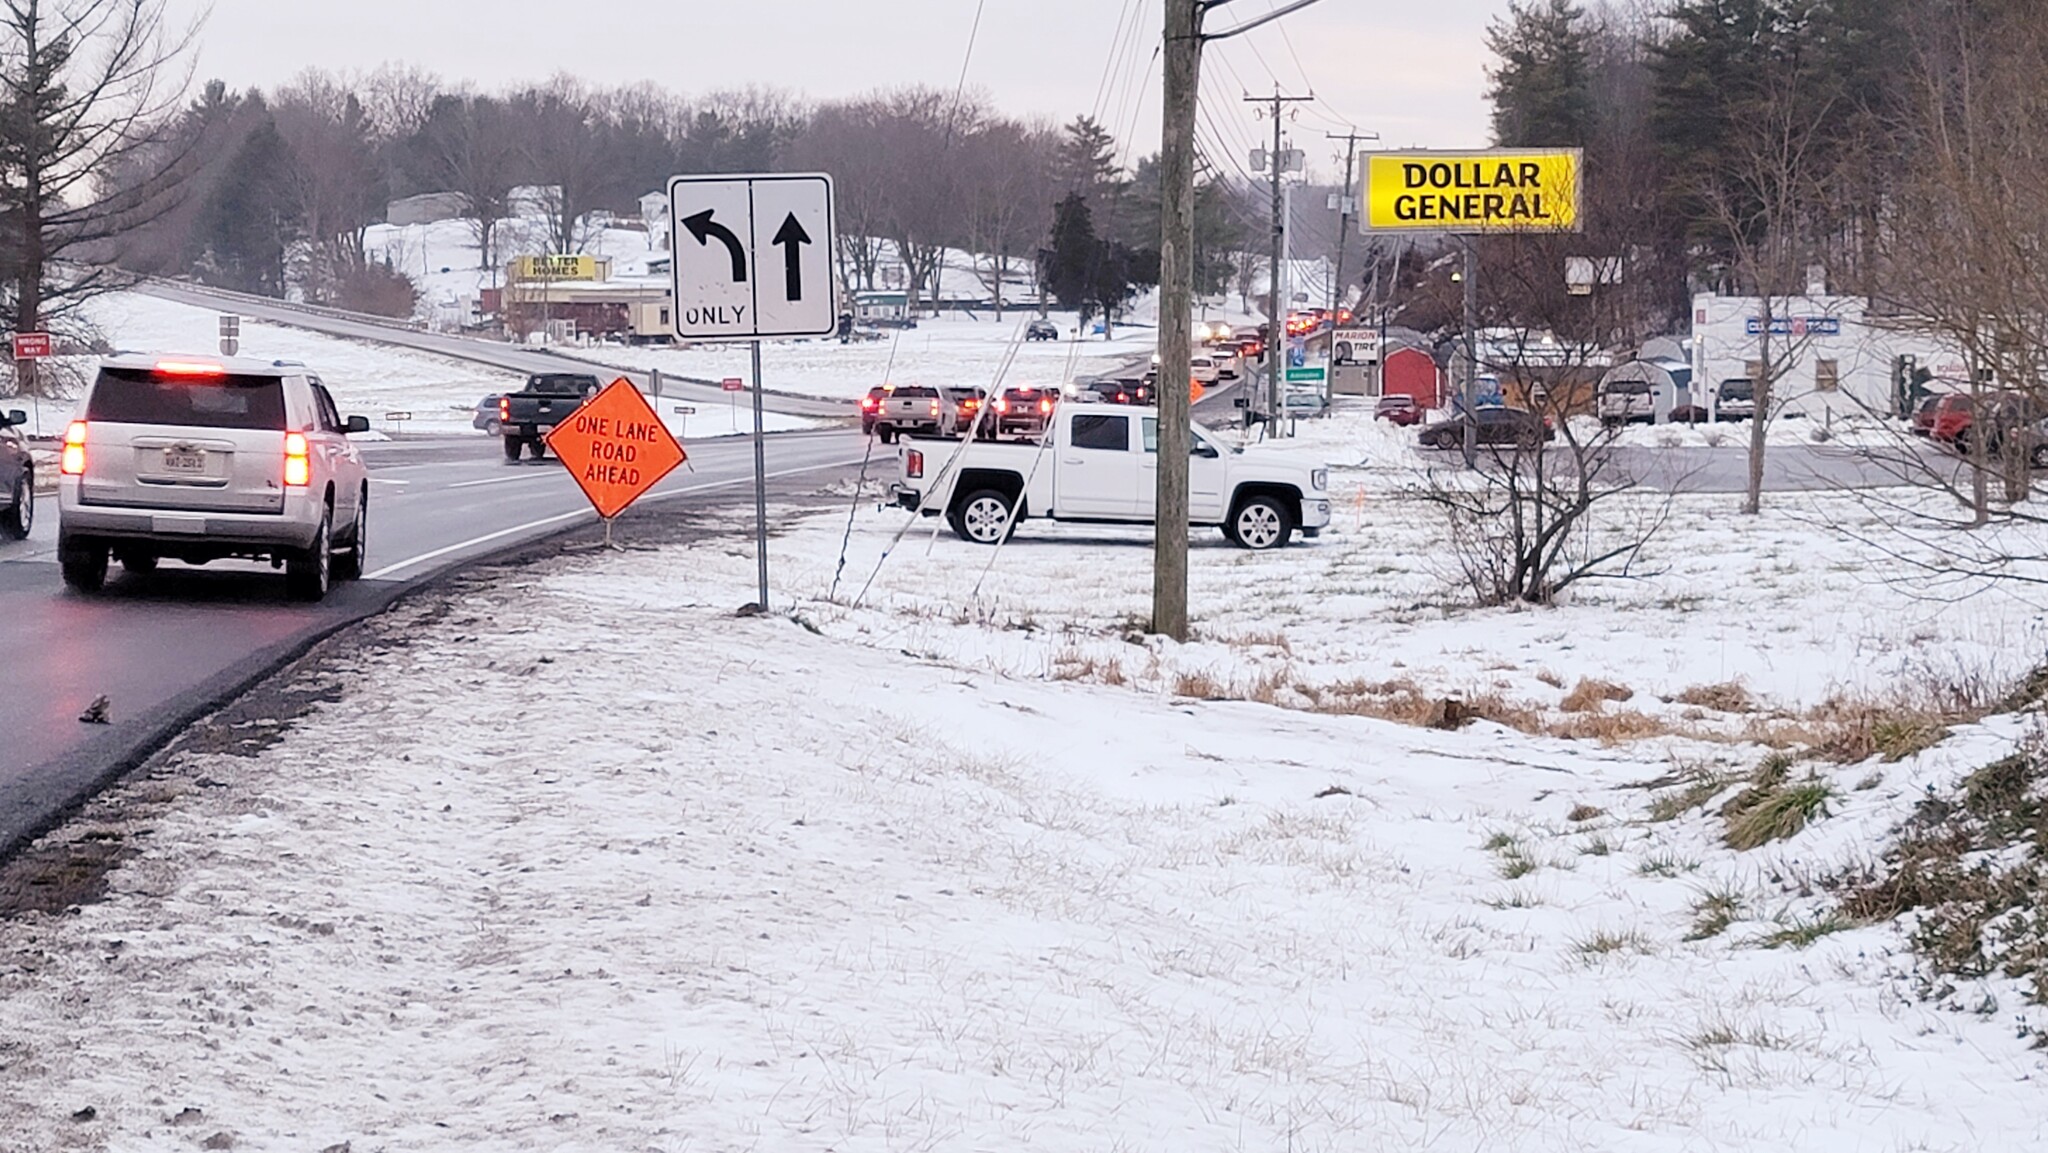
[966,869]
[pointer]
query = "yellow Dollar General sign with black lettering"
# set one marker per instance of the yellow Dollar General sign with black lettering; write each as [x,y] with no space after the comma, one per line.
[1474,191]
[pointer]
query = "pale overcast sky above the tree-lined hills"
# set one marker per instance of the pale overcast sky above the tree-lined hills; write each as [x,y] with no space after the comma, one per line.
[1412,73]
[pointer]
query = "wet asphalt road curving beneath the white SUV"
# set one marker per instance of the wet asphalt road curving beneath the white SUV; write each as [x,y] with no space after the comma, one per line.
[175,644]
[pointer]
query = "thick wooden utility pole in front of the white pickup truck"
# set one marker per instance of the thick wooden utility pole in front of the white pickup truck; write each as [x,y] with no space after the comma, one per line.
[1177,296]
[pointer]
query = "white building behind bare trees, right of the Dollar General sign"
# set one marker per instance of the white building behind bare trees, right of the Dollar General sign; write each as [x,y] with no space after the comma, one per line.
[1830,353]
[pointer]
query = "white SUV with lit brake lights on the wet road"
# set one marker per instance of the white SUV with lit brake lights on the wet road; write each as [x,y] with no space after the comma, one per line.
[206,458]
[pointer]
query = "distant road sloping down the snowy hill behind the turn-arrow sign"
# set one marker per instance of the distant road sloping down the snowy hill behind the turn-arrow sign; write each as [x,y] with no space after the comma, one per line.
[495,353]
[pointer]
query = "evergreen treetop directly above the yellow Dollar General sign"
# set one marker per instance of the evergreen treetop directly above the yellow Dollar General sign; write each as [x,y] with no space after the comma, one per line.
[1543,87]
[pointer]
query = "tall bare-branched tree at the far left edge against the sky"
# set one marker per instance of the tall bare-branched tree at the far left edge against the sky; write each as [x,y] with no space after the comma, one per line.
[89,85]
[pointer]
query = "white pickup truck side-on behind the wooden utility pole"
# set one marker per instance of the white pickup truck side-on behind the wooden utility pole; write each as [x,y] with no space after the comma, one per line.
[1101,466]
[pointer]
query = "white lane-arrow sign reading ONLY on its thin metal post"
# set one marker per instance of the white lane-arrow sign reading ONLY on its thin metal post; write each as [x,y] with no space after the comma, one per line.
[753,261]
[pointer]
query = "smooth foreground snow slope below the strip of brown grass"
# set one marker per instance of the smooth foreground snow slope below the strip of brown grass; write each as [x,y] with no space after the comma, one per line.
[749,886]
